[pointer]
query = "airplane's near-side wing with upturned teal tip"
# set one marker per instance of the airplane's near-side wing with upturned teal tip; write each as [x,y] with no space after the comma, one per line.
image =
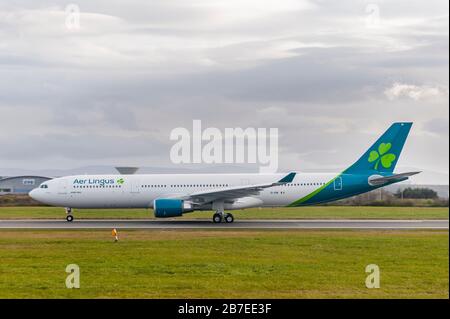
[234,192]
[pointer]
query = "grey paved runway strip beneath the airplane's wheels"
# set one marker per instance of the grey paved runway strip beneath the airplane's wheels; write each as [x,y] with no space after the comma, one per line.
[208,224]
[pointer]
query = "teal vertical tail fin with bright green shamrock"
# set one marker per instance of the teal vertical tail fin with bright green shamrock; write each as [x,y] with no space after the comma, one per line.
[383,155]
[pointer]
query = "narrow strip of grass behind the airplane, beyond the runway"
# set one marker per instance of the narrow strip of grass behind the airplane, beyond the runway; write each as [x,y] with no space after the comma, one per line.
[328,212]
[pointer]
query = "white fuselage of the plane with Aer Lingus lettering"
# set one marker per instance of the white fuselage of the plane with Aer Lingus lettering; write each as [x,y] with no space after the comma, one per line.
[139,191]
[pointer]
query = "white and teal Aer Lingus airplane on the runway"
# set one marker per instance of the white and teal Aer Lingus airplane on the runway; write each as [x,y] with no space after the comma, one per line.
[172,195]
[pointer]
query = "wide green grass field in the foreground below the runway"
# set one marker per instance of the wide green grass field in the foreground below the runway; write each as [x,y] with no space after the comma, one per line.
[224,264]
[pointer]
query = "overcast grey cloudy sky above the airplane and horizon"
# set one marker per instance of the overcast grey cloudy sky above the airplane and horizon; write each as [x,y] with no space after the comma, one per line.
[106,86]
